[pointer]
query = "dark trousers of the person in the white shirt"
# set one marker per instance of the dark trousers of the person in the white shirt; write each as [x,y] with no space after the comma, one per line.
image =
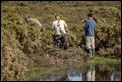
[60,41]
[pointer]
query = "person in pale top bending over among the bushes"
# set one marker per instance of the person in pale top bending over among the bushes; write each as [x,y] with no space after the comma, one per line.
[30,20]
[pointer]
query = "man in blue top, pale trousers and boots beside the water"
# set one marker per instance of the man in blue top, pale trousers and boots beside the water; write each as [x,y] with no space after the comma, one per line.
[90,34]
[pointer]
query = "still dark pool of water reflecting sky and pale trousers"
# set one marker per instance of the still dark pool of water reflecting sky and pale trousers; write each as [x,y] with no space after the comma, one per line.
[90,72]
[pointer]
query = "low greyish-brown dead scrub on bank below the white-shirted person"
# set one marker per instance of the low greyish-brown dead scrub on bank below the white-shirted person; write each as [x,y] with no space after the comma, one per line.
[57,57]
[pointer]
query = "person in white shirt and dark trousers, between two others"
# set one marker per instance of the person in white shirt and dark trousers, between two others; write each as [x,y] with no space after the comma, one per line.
[60,32]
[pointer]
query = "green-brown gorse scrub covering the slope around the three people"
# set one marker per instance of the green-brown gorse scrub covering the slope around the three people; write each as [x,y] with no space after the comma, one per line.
[24,46]
